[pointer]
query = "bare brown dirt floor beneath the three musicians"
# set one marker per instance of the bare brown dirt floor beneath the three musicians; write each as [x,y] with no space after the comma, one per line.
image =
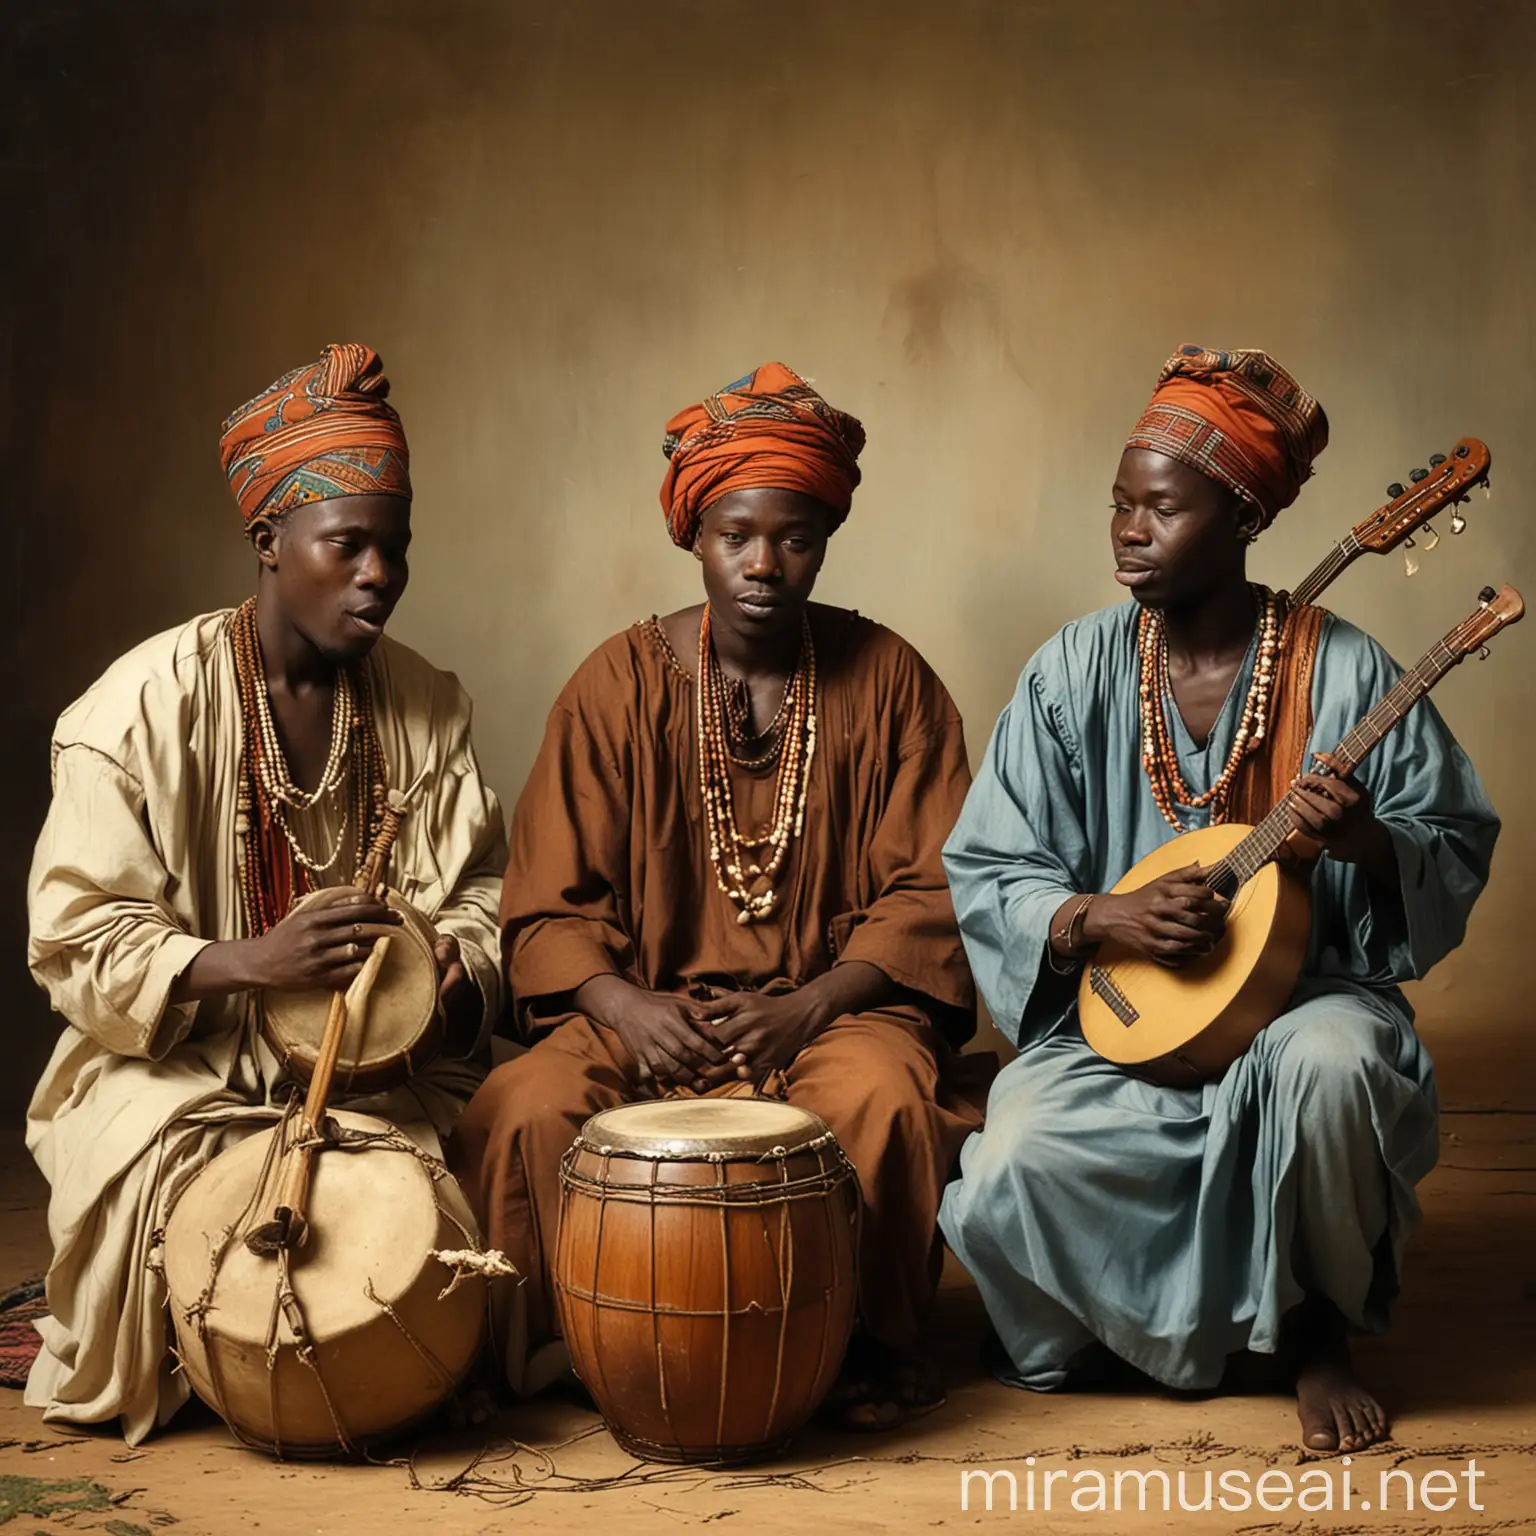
[1458,1372]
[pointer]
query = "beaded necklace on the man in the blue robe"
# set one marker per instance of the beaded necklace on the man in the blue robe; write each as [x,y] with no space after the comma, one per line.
[1159,753]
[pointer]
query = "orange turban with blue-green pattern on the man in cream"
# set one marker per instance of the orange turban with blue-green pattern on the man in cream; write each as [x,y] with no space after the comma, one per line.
[319,432]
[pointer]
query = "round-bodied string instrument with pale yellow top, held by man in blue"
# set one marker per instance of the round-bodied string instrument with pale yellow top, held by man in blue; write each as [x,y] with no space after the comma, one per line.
[1188,1025]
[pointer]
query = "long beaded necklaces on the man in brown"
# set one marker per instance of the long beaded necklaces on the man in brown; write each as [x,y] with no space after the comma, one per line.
[746,867]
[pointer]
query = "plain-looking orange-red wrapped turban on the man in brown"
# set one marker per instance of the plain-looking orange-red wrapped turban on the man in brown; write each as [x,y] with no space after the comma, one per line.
[767,429]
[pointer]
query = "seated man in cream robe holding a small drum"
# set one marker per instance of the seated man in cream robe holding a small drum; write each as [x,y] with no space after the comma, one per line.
[210,778]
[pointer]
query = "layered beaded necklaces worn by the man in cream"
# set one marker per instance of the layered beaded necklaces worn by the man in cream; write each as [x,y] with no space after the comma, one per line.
[274,866]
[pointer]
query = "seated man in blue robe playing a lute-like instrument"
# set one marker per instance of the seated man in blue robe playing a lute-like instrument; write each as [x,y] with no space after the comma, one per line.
[1179,1226]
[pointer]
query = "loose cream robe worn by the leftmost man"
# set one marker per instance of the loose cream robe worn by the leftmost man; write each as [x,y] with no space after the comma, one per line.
[134,875]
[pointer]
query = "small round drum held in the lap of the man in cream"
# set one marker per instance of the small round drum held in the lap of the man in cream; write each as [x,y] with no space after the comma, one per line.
[397,1034]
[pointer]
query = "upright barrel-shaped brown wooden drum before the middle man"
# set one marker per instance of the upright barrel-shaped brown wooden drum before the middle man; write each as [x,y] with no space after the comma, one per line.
[707,1273]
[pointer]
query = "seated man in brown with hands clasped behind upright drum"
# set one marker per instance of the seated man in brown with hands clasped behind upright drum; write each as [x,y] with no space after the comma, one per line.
[727,862]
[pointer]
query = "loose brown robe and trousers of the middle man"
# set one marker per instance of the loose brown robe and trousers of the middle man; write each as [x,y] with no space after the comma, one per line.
[611,875]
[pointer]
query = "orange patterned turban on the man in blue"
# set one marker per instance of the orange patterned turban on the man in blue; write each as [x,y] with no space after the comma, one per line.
[1240,419]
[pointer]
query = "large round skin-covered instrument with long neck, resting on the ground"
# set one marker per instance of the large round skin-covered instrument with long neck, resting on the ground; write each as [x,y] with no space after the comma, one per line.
[325,1276]
